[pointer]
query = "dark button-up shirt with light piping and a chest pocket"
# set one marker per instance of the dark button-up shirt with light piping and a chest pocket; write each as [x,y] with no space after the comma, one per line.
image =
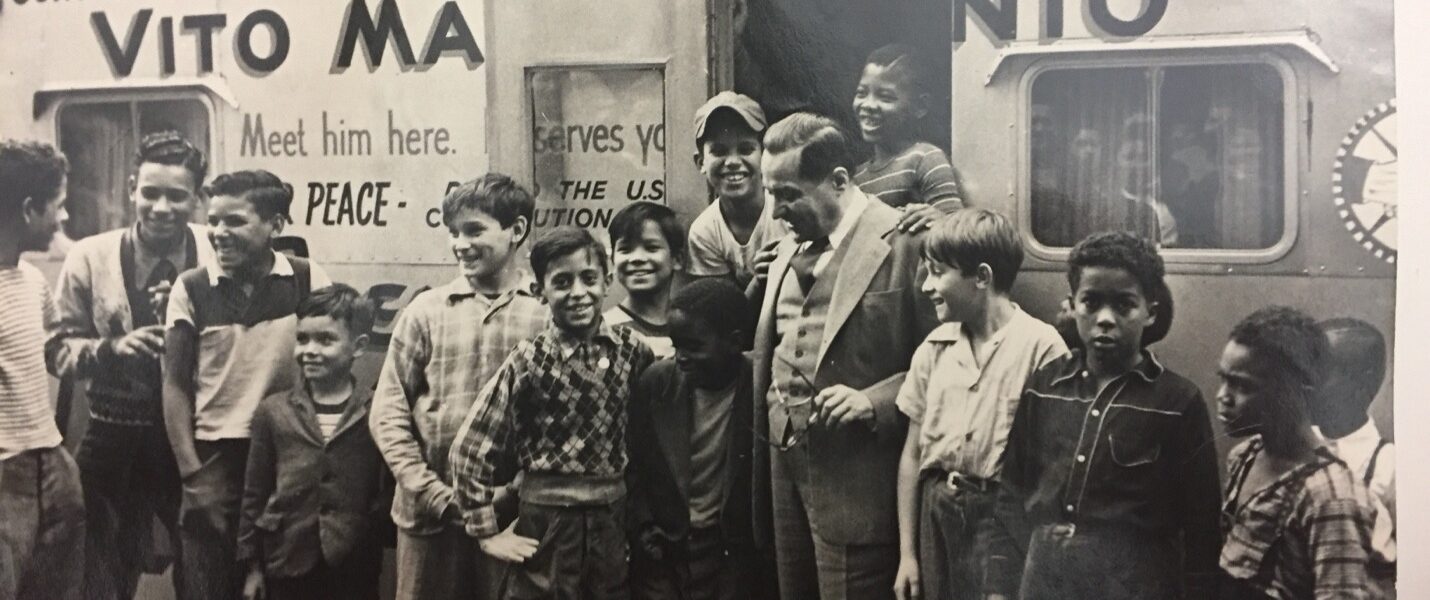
[1136,455]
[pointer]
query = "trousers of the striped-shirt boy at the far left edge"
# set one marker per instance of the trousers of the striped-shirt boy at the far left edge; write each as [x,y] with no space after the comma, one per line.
[42,526]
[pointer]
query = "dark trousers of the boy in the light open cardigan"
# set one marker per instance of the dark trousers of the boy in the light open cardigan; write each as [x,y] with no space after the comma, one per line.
[129,478]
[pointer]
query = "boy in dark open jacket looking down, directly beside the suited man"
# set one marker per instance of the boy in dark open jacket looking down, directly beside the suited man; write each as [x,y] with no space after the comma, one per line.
[691,468]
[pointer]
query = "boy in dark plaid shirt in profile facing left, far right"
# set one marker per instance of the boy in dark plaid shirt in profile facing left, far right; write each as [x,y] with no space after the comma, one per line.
[1298,521]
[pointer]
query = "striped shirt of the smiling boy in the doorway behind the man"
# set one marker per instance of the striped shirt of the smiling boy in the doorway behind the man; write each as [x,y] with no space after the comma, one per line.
[922,175]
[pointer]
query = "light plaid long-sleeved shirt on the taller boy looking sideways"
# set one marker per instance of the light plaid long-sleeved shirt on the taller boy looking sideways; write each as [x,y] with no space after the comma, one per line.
[445,346]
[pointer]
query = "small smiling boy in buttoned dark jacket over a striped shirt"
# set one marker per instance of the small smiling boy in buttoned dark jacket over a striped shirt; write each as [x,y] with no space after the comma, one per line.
[314,485]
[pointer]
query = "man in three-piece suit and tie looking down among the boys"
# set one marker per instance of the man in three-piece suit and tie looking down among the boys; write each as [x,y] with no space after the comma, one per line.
[840,322]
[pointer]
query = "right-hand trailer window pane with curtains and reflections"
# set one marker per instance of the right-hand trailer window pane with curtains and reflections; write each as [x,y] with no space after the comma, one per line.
[1190,156]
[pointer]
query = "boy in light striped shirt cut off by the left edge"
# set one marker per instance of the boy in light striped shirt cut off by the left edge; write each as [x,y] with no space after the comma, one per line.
[42,511]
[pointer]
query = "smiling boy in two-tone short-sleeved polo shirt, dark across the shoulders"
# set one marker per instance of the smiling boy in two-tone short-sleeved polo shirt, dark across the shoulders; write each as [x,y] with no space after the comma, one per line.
[230,345]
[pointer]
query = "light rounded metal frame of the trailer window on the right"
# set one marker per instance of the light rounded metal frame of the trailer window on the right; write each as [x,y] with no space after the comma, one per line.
[1291,156]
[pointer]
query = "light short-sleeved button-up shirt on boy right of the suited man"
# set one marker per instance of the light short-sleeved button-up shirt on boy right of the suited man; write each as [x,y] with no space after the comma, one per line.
[963,405]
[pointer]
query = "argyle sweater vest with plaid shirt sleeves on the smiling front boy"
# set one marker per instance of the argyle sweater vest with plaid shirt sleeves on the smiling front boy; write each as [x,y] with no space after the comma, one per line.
[557,406]
